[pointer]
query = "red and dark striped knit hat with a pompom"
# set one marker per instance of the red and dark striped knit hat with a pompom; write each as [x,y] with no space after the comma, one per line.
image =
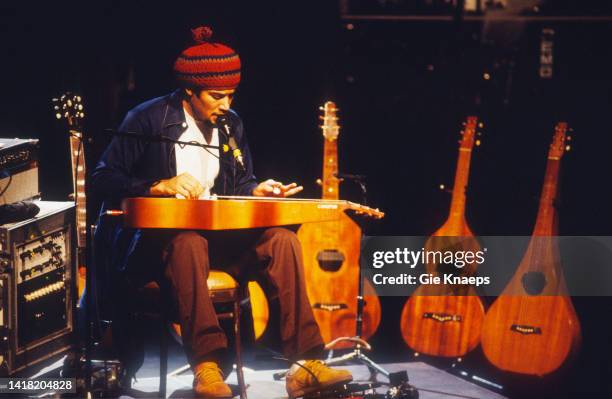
[207,65]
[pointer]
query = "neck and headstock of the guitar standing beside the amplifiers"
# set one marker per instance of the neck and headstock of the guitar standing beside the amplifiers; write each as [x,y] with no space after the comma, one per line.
[69,107]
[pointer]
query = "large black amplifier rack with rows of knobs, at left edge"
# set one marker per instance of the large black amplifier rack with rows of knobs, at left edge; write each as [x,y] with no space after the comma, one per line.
[37,287]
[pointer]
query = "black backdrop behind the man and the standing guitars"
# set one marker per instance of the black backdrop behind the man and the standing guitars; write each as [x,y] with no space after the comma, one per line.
[403,88]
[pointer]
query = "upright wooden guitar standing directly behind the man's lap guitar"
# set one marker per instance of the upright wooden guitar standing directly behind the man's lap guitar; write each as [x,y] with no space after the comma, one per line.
[331,255]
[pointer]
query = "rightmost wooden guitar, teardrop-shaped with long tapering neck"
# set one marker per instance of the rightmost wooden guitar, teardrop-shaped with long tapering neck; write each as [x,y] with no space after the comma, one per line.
[532,328]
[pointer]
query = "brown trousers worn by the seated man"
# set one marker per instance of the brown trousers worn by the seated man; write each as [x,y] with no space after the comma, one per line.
[272,256]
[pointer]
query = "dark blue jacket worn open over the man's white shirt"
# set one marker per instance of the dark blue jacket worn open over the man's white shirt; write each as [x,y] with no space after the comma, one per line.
[128,168]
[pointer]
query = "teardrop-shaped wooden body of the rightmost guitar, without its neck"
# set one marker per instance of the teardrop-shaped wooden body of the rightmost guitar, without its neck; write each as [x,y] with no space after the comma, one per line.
[533,334]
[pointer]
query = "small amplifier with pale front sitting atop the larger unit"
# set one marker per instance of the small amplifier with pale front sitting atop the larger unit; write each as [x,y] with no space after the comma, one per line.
[18,170]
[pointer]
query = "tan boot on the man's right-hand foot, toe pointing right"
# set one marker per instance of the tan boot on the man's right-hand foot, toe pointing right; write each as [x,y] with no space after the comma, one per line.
[300,382]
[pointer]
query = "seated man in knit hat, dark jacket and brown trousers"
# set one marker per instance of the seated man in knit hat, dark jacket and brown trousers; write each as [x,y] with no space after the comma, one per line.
[208,74]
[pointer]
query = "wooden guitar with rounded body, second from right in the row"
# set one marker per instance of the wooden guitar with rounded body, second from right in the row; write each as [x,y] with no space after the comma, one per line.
[439,320]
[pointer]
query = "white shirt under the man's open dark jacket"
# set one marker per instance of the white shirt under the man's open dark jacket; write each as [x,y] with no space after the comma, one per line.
[197,161]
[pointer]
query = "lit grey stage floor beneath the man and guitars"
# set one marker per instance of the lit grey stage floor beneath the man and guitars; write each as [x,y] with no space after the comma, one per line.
[432,383]
